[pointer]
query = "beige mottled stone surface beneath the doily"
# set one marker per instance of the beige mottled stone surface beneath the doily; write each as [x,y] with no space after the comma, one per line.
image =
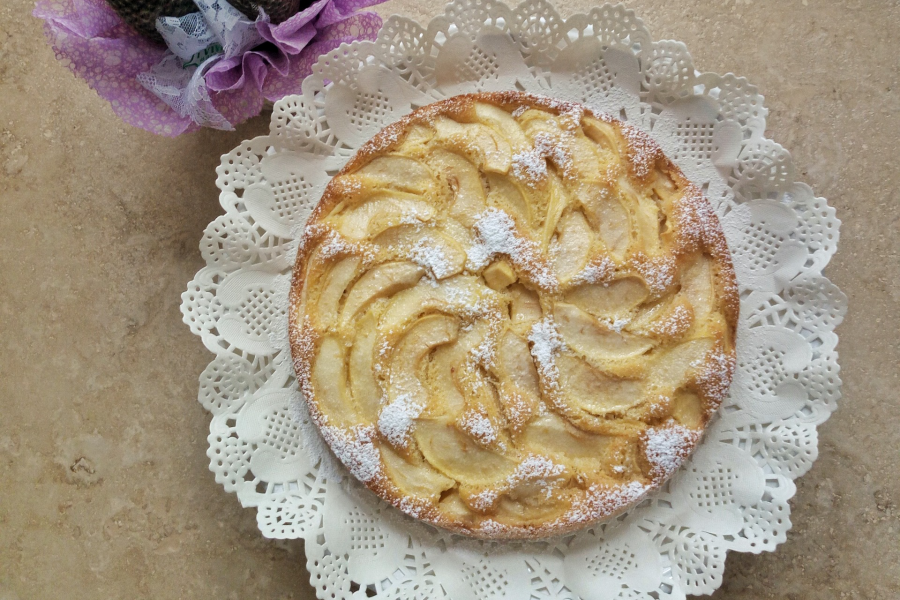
[104,486]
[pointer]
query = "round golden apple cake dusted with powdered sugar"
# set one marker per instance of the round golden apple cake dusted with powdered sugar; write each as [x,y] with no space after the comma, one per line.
[512,317]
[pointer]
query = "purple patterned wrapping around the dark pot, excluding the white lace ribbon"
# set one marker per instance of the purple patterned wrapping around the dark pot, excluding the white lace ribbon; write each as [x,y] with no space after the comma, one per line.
[100,48]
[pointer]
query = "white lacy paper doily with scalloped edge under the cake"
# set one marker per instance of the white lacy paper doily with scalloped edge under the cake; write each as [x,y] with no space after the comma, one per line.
[732,494]
